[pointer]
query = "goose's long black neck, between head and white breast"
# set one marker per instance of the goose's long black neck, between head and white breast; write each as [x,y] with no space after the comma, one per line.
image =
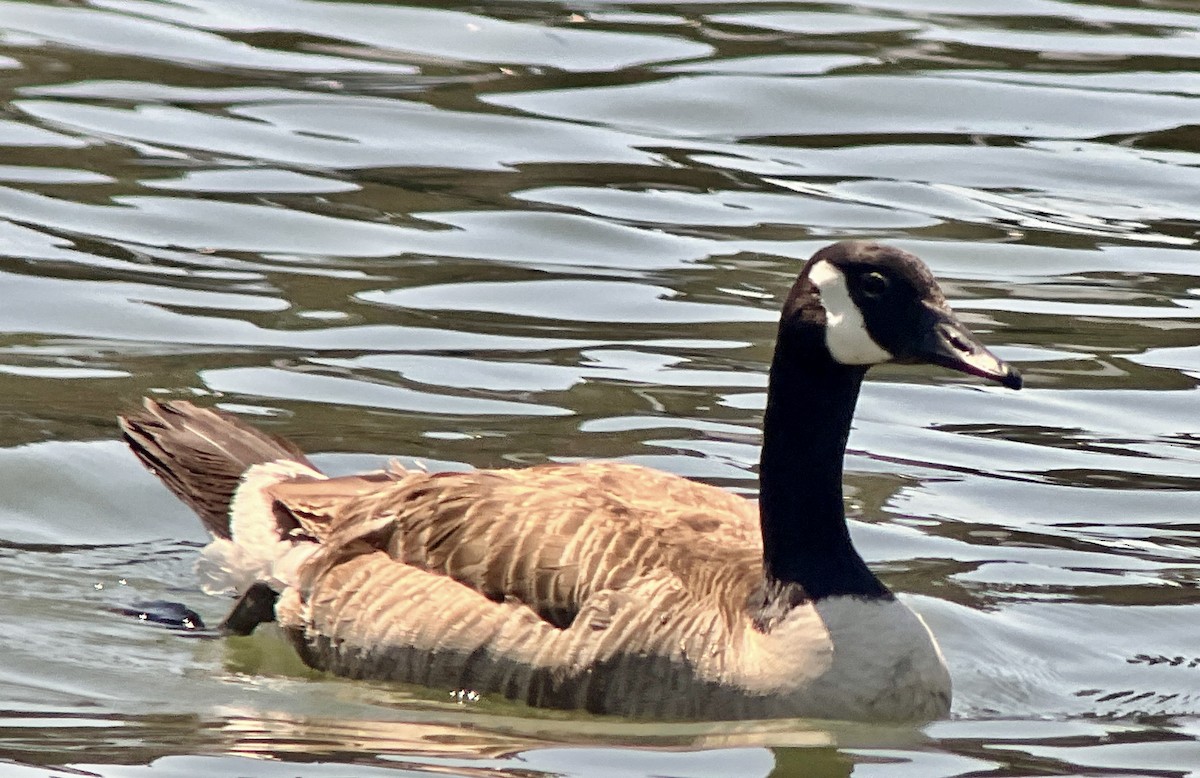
[811,404]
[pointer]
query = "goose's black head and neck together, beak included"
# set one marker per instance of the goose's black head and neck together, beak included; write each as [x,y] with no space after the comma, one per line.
[855,306]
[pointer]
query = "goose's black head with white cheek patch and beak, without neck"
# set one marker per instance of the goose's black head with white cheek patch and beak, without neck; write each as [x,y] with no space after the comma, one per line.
[875,304]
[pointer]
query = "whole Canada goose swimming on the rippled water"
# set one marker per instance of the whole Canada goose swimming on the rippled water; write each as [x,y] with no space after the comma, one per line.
[602,587]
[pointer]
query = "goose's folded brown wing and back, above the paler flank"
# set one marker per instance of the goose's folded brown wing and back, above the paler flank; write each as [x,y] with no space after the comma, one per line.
[549,537]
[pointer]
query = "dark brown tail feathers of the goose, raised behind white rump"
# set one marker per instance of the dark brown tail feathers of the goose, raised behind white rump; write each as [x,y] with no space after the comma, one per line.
[202,454]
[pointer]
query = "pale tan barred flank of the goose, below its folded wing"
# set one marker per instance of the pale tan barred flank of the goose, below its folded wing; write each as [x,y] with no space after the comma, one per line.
[367,617]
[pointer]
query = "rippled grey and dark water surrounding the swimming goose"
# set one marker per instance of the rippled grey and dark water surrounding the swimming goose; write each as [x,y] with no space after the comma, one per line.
[520,232]
